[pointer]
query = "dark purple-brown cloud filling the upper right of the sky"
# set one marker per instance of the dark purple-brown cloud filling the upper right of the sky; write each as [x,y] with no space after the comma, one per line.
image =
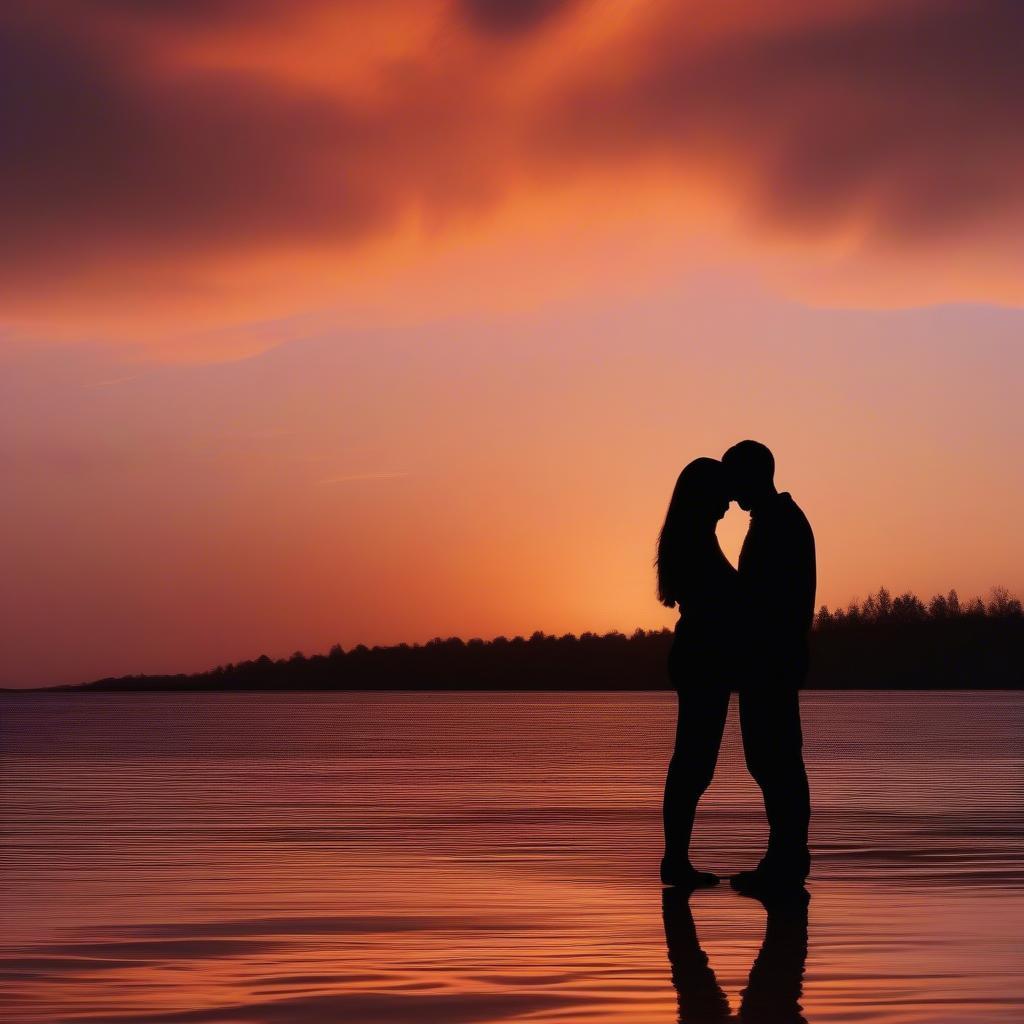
[905,113]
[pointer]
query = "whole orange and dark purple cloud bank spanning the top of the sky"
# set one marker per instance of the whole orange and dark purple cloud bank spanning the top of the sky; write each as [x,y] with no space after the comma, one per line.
[154,149]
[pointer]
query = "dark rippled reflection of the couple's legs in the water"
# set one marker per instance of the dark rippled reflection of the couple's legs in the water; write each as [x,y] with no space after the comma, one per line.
[776,983]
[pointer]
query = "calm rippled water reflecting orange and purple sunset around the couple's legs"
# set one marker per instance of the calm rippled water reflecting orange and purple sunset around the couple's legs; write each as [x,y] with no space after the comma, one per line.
[458,858]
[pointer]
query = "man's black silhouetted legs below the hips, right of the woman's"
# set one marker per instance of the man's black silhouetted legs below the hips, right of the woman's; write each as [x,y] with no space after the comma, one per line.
[770,719]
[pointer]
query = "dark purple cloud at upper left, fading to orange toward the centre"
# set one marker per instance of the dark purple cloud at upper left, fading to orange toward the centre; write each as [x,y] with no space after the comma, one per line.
[108,159]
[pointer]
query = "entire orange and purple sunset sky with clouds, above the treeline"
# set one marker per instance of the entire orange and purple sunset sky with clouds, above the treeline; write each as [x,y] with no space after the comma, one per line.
[366,323]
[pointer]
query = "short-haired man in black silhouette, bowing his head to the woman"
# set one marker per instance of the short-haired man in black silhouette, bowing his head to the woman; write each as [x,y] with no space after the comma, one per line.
[778,582]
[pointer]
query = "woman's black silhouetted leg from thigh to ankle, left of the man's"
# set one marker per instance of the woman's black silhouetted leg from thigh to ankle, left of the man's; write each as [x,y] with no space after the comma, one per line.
[703,711]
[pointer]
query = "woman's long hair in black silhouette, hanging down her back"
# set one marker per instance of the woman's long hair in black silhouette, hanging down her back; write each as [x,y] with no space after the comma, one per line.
[698,493]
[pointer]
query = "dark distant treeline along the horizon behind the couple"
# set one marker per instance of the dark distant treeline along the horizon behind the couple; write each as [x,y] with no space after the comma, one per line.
[884,643]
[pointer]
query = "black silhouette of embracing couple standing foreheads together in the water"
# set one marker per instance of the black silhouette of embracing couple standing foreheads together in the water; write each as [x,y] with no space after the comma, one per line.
[743,631]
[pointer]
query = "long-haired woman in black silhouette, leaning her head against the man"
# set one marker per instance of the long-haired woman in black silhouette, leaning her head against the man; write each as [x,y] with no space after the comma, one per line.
[696,576]
